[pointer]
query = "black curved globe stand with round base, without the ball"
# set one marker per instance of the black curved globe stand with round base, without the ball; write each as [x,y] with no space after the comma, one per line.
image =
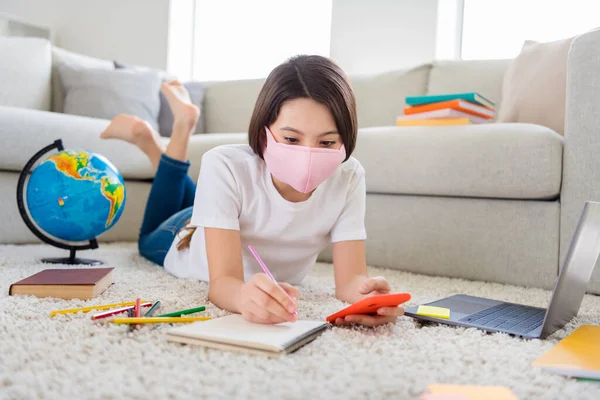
[71,260]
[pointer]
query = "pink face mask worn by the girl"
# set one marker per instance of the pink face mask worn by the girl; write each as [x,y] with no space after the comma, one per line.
[303,168]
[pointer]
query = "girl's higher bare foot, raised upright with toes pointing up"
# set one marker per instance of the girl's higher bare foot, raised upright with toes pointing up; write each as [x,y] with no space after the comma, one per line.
[185,117]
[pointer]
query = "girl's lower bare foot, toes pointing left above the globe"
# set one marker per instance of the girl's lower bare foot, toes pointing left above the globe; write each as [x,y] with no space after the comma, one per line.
[135,131]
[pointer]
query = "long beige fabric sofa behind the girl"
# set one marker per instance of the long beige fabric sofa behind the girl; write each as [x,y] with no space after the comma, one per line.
[480,202]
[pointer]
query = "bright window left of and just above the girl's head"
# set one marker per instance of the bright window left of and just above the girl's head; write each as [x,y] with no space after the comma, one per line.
[239,39]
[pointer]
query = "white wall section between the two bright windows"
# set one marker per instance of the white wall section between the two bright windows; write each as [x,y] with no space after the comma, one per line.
[381,35]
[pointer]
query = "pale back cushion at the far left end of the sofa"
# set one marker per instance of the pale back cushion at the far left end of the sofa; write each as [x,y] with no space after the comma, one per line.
[25,71]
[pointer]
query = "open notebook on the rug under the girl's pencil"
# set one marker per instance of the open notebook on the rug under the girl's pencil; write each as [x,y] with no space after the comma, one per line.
[233,332]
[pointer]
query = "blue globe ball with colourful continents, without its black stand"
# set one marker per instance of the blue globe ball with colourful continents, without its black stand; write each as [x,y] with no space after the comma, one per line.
[75,195]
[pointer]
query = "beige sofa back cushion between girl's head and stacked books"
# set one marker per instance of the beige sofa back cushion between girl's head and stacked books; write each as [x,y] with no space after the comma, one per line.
[380,98]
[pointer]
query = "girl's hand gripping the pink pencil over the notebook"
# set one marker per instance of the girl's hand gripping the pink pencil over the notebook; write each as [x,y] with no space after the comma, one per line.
[265,302]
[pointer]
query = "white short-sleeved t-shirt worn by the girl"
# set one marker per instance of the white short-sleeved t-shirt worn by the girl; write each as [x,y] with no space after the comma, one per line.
[235,191]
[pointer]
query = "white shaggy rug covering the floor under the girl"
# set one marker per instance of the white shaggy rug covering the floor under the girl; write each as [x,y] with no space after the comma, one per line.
[70,357]
